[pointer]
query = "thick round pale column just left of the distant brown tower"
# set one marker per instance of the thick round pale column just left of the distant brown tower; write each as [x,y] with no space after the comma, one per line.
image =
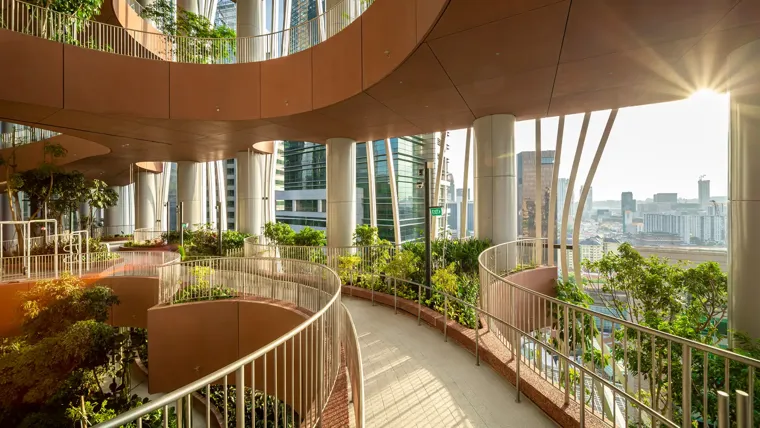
[495,178]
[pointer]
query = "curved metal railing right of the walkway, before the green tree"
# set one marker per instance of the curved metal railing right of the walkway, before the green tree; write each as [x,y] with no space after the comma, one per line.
[549,332]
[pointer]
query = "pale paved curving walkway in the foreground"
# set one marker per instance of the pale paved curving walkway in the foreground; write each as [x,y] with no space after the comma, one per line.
[415,379]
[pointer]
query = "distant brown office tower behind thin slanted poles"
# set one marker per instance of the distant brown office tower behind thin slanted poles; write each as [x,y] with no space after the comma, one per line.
[526,190]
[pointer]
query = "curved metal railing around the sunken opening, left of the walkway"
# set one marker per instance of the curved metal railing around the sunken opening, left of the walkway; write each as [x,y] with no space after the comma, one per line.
[309,355]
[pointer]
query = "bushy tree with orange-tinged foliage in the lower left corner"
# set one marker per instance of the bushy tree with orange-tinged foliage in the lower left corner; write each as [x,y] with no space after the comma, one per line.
[57,372]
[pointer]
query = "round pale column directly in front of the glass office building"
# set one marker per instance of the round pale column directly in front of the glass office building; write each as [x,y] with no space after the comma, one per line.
[341,191]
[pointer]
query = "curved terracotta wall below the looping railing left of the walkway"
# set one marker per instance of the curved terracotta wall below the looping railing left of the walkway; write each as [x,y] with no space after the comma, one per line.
[189,341]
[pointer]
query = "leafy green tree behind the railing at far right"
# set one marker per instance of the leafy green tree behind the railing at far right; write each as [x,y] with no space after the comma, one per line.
[686,302]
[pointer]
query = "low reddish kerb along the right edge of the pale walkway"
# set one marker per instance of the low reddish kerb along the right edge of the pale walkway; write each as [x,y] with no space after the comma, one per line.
[492,352]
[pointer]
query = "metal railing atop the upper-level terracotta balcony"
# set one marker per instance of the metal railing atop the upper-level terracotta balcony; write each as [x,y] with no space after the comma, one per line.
[40,22]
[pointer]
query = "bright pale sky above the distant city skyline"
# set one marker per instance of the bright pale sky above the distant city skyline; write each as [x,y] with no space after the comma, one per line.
[657,148]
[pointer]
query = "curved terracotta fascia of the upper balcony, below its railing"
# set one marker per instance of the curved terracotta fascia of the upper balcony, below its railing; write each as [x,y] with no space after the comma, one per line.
[341,67]
